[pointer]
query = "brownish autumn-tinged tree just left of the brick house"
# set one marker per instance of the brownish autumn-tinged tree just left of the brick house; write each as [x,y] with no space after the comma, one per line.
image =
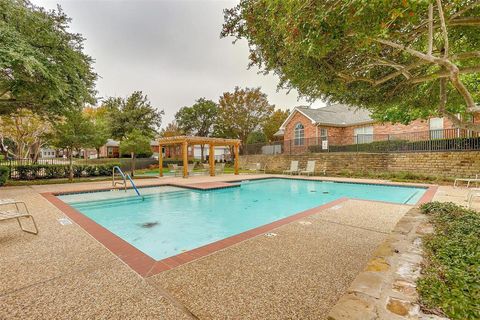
[242,112]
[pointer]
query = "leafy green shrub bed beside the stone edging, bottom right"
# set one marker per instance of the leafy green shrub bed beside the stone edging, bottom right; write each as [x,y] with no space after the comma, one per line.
[451,275]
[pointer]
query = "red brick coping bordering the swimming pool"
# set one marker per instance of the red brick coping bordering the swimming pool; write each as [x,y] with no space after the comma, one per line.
[146,266]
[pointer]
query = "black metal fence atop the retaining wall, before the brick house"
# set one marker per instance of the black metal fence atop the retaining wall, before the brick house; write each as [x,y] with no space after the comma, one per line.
[423,141]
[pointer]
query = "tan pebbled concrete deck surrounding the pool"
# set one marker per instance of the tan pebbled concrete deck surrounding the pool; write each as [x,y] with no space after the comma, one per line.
[64,273]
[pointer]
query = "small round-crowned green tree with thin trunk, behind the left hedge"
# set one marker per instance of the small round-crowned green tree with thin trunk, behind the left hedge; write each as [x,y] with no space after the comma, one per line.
[73,132]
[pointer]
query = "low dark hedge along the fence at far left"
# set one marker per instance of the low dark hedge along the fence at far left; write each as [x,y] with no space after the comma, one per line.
[47,171]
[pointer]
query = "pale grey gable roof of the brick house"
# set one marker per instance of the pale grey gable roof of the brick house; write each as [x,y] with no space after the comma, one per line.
[338,115]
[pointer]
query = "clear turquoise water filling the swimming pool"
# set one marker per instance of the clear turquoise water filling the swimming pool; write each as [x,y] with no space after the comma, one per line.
[168,223]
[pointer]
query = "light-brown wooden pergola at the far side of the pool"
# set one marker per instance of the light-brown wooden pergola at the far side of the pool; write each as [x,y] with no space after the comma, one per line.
[185,141]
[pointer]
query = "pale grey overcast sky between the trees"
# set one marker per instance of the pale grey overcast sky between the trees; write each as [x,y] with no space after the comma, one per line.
[170,50]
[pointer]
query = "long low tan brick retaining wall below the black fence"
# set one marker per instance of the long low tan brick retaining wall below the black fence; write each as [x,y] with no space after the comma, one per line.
[448,164]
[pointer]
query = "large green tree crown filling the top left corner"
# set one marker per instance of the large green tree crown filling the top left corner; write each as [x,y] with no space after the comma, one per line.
[42,65]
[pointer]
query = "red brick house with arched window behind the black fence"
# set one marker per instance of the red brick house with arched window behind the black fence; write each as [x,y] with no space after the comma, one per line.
[338,124]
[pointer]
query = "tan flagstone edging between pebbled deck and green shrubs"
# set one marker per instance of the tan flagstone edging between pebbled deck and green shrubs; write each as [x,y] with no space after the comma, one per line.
[386,288]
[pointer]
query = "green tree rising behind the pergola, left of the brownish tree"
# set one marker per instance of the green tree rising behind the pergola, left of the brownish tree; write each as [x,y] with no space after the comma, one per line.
[198,120]
